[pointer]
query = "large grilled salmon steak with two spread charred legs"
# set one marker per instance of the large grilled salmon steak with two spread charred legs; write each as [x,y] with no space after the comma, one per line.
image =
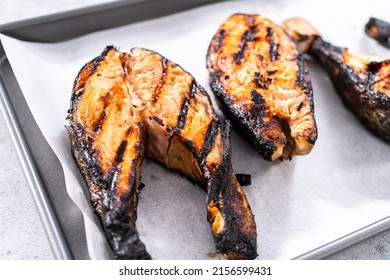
[127,106]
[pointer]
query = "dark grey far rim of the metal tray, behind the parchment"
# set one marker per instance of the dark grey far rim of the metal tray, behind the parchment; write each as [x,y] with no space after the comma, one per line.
[69,24]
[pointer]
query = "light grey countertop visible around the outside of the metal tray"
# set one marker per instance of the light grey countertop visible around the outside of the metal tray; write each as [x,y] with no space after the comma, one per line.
[21,233]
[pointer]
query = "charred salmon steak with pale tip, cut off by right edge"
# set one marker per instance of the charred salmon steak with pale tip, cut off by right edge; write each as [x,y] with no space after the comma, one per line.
[362,82]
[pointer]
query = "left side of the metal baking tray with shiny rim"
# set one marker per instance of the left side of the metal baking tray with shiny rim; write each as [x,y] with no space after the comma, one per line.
[61,218]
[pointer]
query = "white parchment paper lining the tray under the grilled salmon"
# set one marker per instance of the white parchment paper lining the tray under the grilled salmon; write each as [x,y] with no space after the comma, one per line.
[343,185]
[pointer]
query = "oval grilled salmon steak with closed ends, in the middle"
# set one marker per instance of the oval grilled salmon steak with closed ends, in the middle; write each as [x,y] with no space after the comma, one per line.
[262,83]
